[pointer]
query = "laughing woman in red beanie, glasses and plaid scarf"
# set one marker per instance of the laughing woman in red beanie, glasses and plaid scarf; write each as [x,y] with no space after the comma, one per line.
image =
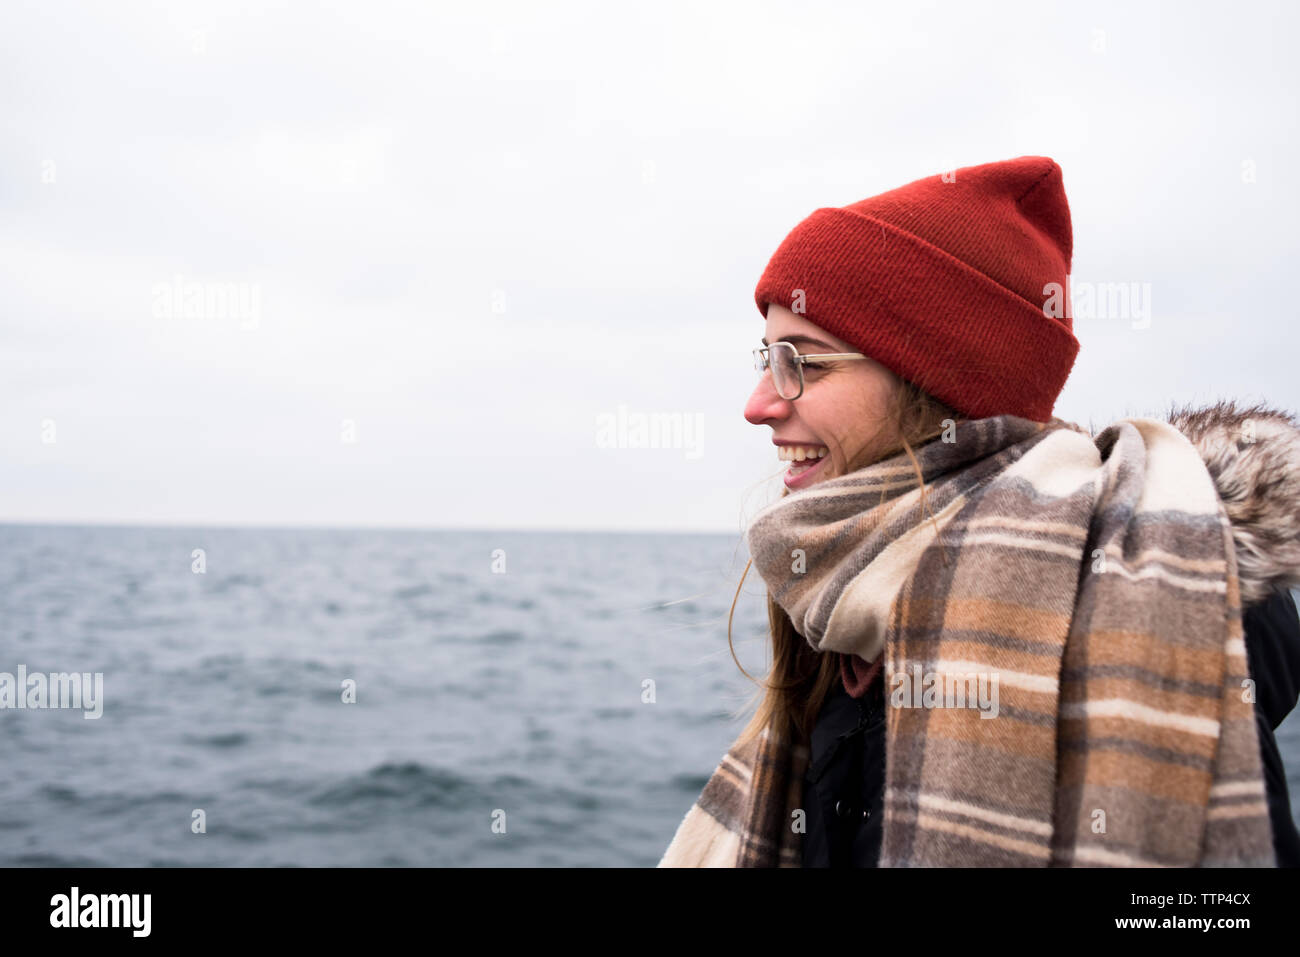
[996,638]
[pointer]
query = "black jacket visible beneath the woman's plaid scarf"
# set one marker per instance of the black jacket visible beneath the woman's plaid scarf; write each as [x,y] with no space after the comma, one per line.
[844,786]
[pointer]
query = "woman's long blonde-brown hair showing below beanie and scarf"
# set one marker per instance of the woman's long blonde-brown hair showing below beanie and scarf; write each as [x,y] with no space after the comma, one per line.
[800,679]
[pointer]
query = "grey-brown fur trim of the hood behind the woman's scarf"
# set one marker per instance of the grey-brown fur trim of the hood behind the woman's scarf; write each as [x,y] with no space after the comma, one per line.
[1254,456]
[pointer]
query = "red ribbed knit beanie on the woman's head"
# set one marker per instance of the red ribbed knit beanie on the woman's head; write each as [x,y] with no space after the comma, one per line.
[946,282]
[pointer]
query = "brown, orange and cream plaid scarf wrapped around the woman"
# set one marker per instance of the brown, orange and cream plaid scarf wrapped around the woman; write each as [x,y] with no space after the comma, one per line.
[1064,655]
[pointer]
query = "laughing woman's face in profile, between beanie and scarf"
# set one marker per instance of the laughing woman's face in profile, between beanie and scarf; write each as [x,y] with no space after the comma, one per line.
[843,410]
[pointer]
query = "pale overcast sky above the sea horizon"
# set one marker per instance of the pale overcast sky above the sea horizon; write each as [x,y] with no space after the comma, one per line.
[460,235]
